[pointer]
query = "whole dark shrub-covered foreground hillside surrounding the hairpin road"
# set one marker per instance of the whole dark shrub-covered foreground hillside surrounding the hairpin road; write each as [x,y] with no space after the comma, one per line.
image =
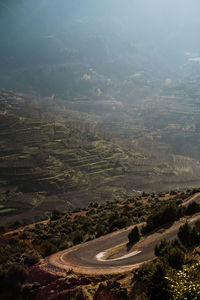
[21,249]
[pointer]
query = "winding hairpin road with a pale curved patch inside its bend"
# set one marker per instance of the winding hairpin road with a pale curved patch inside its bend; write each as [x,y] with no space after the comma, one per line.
[88,258]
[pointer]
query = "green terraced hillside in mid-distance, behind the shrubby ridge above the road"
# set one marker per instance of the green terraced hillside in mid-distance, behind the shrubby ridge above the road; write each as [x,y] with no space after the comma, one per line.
[56,158]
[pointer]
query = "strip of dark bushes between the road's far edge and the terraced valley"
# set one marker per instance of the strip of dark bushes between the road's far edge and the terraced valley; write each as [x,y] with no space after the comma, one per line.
[62,231]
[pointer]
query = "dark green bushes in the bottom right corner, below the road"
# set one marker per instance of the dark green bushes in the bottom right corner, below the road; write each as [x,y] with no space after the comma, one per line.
[174,275]
